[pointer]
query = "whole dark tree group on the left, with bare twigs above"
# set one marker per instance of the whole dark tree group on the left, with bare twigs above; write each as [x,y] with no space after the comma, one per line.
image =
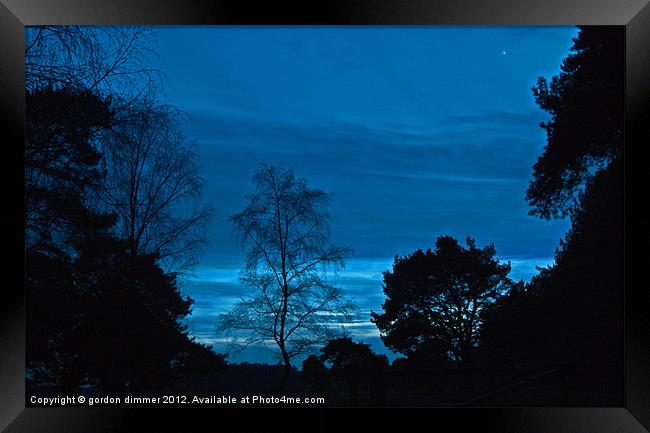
[100,312]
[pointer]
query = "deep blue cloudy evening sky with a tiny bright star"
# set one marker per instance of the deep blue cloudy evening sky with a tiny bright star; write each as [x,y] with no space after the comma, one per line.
[416,131]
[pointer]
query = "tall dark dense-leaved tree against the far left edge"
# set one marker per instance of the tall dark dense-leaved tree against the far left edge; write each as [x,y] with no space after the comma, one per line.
[61,170]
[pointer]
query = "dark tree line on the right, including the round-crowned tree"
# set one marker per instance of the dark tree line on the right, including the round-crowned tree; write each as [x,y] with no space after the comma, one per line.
[451,305]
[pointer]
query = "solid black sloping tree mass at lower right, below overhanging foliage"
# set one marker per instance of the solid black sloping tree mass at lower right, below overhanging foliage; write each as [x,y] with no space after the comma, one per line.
[583,289]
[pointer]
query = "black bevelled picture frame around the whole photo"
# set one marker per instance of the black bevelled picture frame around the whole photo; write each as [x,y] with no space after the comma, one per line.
[633,416]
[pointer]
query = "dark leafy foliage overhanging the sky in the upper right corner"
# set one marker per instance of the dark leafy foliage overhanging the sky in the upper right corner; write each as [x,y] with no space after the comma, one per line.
[585,132]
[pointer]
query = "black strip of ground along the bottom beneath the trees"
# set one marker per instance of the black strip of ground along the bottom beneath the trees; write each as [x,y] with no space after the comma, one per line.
[508,385]
